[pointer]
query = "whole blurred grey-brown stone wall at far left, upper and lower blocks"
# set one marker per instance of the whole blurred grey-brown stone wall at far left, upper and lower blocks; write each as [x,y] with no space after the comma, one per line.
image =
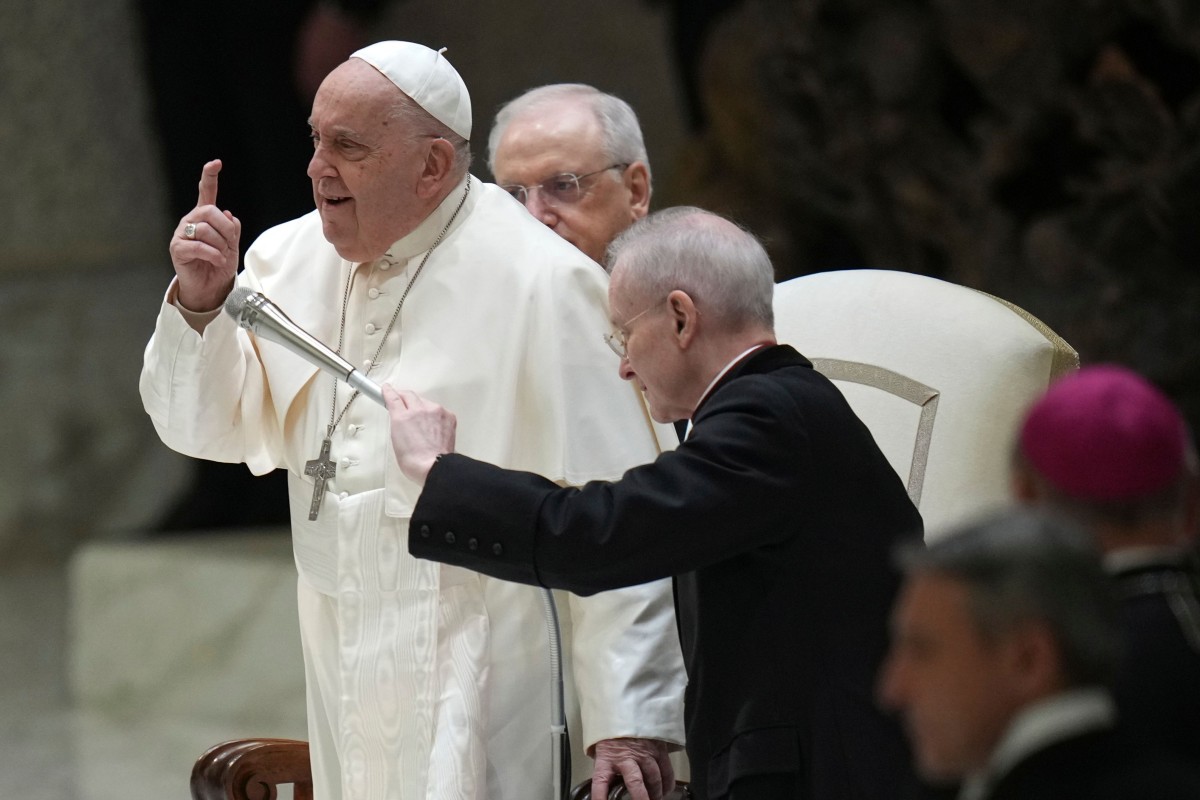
[81,273]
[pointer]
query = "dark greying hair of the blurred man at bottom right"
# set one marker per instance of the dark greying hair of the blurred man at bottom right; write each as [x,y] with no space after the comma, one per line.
[1022,567]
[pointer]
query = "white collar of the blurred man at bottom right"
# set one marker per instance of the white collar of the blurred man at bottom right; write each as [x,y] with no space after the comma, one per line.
[1037,727]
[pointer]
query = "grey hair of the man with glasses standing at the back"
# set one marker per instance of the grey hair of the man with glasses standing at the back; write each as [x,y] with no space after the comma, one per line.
[621,136]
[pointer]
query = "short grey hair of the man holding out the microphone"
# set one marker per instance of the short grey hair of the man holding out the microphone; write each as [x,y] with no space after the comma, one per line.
[721,266]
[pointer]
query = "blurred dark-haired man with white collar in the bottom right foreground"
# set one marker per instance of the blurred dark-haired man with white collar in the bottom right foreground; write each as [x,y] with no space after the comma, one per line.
[1005,641]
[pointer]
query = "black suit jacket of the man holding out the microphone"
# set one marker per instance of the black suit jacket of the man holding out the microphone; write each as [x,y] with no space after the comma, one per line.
[777,519]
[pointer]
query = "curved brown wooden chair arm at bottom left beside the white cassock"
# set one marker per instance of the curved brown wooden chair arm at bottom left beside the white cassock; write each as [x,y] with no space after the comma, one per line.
[253,769]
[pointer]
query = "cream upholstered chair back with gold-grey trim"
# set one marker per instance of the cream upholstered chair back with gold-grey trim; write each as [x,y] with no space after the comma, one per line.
[940,374]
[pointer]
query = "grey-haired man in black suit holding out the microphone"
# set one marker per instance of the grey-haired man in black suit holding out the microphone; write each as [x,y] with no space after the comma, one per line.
[776,516]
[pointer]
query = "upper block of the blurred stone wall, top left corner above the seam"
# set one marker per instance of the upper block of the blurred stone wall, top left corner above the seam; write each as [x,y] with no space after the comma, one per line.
[82,187]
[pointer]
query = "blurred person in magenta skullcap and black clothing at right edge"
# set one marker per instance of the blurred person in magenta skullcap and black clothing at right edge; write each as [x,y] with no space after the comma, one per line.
[1111,452]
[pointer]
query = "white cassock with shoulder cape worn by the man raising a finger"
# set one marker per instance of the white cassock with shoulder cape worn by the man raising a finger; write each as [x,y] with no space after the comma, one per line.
[425,681]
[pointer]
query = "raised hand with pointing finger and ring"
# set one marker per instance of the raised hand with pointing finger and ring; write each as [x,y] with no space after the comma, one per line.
[205,248]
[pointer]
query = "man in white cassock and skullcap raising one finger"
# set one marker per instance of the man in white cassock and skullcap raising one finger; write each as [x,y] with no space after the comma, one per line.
[424,682]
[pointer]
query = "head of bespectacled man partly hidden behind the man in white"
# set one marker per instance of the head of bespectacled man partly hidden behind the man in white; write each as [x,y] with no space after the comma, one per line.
[574,157]
